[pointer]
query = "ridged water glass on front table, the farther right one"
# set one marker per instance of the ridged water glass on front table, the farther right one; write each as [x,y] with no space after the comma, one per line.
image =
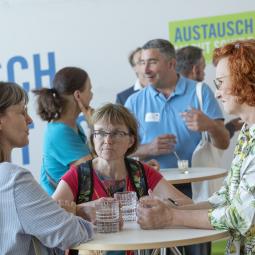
[128,204]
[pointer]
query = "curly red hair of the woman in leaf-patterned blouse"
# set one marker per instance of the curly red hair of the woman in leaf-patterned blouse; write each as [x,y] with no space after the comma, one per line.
[241,63]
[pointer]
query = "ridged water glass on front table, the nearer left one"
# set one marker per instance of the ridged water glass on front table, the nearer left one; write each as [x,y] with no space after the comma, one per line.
[108,215]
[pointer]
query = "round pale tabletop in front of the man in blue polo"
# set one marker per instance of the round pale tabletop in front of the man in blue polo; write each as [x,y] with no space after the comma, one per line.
[195,174]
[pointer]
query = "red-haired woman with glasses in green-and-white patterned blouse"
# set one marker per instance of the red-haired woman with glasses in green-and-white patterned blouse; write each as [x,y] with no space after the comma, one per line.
[232,208]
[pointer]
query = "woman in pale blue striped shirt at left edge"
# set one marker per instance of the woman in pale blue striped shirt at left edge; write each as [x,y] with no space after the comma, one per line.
[27,213]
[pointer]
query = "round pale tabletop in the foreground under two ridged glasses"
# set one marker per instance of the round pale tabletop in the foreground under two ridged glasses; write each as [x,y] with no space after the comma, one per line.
[134,238]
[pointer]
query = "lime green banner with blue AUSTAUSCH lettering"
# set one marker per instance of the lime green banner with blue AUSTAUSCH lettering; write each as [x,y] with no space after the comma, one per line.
[212,32]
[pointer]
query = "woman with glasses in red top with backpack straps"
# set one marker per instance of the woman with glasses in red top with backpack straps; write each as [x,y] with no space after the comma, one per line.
[114,138]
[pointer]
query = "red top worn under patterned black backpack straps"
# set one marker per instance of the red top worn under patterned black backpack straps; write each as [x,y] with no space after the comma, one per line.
[71,178]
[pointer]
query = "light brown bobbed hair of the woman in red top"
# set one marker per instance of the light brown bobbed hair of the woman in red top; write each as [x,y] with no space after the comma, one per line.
[117,114]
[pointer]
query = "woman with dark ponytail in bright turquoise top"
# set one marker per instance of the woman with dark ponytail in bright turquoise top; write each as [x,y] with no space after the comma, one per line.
[64,140]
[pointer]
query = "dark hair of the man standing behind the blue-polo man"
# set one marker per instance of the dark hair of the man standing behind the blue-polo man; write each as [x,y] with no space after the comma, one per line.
[186,58]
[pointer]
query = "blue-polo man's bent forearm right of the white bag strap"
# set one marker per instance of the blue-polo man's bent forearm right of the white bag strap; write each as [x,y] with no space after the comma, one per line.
[219,134]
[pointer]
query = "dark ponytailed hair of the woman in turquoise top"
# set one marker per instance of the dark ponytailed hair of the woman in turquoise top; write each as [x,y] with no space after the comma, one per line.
[51,102]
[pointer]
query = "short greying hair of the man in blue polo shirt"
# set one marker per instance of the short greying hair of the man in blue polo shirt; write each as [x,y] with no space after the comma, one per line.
[164,46]
